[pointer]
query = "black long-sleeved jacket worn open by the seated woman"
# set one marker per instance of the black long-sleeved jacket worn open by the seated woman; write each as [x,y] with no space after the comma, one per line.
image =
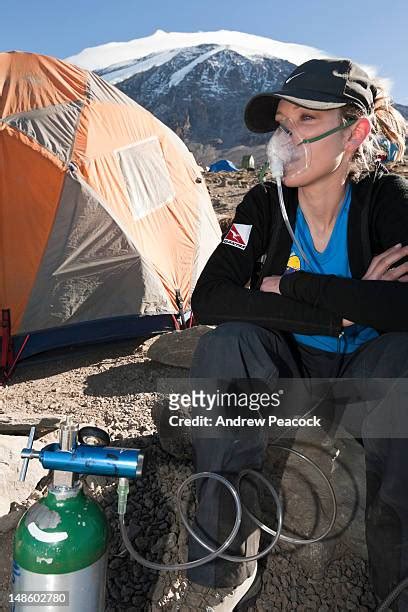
[310,303]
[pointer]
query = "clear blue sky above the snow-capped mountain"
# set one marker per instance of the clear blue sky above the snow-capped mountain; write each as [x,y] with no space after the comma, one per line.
[371,32]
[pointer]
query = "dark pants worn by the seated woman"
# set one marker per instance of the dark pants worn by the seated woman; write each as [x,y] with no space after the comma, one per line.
[246,352]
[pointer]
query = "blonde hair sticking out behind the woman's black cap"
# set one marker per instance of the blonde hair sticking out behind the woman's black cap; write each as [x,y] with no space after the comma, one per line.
[386,121]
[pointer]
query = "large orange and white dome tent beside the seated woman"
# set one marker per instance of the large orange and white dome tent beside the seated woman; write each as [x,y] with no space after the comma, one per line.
[104,214]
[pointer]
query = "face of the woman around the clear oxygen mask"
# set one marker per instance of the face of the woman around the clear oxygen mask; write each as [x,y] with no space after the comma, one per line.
[327,155]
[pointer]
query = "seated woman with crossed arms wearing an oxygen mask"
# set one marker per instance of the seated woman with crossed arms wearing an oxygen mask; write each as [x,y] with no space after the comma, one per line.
[331,303]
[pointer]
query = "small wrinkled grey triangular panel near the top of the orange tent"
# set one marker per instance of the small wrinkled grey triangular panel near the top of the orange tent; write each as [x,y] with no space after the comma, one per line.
[52,127]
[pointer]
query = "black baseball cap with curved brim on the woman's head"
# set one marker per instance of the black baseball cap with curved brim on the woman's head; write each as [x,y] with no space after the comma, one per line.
[319,84]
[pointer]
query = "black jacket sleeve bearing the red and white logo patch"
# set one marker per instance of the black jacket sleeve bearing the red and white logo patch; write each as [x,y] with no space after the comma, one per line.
[220,294]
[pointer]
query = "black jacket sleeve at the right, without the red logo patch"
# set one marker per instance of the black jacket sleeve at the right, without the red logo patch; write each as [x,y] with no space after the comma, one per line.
[379,304]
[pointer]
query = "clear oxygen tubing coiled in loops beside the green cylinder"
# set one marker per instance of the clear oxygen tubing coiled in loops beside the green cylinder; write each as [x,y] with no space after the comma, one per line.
[123,490]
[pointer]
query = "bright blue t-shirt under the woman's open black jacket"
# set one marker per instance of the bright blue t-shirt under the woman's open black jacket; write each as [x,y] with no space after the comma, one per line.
[333,260]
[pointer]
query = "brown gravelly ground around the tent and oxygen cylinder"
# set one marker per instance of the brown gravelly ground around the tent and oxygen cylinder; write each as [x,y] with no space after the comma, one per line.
[114,386]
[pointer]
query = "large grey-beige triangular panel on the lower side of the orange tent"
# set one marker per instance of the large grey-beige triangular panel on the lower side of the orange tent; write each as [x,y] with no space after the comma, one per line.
[89,270]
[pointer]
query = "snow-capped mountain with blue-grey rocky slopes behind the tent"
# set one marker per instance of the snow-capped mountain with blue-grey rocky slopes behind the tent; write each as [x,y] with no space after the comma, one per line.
[198,84]
